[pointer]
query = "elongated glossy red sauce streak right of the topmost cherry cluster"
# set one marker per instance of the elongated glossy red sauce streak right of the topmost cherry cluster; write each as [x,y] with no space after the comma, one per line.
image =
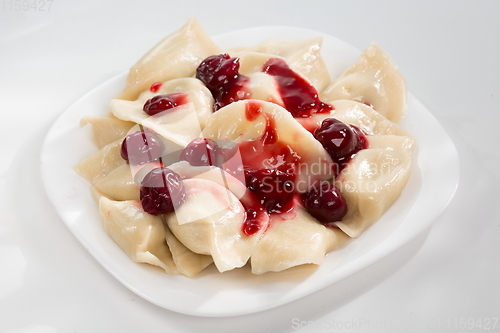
[299,96]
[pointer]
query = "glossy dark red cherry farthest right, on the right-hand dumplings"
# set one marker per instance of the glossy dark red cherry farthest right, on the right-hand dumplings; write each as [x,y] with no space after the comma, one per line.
[336,137]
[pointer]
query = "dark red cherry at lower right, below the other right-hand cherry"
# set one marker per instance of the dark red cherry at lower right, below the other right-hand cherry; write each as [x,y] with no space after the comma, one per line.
[325,203]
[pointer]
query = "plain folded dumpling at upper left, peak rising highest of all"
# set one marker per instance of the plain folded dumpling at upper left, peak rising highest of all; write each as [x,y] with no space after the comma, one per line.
[178,55]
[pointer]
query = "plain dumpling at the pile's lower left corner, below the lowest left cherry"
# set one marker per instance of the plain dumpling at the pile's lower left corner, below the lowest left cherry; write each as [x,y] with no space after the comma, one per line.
[140,235]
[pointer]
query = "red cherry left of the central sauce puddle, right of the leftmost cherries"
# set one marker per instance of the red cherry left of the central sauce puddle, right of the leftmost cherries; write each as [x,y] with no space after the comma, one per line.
[200,152]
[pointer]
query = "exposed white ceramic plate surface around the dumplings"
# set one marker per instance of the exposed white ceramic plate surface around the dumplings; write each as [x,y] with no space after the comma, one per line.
[431,186]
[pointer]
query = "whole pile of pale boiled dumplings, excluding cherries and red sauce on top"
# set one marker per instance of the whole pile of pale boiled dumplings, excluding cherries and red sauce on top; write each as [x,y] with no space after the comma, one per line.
[206,229]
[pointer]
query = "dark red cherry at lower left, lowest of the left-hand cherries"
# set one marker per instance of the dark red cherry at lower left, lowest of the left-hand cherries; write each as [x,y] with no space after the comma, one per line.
[162,191]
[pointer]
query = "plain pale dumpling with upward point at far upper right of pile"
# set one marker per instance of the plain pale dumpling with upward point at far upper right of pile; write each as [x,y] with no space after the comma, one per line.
[375,80]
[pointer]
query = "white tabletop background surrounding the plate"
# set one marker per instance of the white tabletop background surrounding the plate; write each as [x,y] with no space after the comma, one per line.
[444,280]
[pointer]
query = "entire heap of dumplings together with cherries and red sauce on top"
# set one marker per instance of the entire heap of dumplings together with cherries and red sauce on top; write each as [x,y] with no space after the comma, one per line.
[247,156]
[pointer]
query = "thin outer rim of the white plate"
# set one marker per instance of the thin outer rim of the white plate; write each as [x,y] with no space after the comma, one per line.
[383,249]
